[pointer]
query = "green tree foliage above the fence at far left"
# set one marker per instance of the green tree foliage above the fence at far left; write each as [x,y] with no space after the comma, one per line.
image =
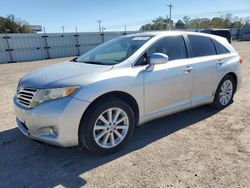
[10,24]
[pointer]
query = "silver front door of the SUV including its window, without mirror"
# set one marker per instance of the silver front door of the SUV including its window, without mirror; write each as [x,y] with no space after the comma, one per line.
[168,86]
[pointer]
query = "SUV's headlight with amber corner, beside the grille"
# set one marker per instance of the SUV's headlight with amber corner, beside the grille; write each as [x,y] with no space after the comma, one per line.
[43,95]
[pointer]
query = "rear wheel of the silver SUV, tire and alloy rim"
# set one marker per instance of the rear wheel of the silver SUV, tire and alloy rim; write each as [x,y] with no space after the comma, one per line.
[218,101]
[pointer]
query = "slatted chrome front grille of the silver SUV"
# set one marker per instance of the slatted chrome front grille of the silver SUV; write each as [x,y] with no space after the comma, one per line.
[25,96]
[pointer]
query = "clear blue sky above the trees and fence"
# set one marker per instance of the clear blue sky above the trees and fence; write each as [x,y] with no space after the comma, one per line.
[115,14]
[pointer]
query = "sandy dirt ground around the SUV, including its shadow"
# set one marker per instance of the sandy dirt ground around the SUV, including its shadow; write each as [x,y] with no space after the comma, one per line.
[196,148]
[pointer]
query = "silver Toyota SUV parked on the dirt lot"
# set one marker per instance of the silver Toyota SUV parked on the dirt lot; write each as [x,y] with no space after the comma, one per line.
[97,99]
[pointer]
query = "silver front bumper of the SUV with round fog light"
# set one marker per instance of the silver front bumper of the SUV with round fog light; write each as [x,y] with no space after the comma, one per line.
[55,122]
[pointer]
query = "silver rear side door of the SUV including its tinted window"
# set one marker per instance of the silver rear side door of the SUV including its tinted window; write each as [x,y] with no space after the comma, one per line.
[206,64]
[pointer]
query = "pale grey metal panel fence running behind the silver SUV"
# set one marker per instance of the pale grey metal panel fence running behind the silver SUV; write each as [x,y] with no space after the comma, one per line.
[28,47]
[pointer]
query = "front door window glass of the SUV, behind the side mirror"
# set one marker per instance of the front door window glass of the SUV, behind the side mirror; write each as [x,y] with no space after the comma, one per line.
[173,46]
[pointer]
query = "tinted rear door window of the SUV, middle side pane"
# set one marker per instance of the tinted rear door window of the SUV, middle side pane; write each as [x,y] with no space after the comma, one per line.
[201,46]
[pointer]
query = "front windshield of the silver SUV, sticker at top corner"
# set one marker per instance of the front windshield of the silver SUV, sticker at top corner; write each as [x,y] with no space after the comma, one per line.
[114,51]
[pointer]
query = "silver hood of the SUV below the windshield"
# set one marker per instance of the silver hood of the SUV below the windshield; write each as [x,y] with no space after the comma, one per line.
[63,75]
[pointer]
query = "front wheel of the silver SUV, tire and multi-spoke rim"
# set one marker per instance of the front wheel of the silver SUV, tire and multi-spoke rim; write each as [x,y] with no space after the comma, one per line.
[96,133]
